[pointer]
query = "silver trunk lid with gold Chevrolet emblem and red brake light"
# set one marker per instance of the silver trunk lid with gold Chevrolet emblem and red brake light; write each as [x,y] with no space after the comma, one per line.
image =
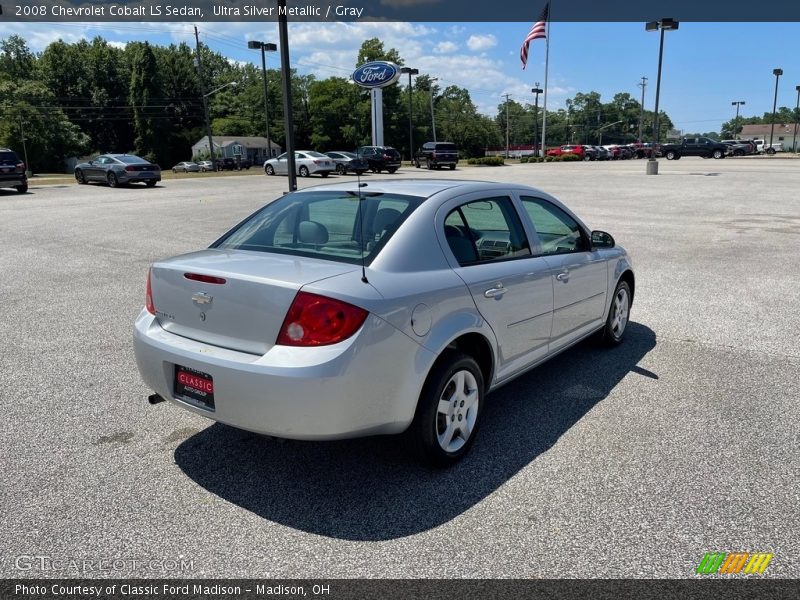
[244,311]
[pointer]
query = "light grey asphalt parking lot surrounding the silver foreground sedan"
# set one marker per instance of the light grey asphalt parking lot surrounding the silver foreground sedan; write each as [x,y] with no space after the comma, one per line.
[632,462]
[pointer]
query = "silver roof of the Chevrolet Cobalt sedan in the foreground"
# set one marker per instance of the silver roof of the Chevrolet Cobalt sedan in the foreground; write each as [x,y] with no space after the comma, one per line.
[418,187]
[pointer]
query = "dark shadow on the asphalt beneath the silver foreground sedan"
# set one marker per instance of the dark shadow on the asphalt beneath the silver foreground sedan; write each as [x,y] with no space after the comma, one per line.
[372,489]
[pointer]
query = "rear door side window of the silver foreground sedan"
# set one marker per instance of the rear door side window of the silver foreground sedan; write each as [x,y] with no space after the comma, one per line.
[484,231]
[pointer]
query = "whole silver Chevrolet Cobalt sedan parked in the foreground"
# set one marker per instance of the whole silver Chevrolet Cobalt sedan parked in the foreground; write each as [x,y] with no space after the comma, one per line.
[344,310]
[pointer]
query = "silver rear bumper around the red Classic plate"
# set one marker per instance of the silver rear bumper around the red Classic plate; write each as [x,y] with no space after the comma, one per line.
[366,385]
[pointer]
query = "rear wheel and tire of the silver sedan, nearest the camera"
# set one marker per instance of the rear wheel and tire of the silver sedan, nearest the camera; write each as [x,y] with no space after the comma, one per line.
[449,410]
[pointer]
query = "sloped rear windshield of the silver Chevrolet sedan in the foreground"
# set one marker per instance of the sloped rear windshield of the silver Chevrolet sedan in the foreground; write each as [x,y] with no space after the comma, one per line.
[337,226]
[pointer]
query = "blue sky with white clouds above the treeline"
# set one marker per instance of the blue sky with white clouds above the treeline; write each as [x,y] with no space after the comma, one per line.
[706,65]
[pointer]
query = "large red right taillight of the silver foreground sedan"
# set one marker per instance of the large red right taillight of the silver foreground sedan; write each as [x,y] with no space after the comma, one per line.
[315,320]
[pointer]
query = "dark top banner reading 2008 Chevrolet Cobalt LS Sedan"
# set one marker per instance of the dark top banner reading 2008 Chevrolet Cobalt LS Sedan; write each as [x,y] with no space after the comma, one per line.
[400,10]
